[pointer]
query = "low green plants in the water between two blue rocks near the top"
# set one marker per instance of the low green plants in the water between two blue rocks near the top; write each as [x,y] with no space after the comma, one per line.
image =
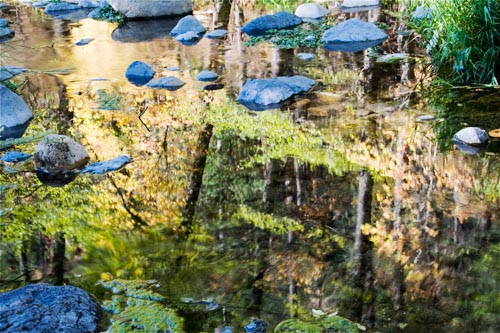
[304,35]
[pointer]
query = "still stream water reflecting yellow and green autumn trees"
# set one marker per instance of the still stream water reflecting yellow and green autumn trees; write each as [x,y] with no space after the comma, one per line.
[342,199]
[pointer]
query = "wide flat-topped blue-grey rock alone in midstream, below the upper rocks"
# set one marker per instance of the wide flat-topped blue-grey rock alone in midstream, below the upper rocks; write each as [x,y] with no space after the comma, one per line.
[263,94]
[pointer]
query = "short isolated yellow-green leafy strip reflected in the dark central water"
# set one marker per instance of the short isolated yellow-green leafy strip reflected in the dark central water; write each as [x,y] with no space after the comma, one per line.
[276,225]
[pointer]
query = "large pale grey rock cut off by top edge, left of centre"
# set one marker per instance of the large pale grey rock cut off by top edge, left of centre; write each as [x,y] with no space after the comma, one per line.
[151,8]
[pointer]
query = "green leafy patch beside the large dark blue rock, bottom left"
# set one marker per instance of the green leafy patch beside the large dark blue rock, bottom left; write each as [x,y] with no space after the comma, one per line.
[135,307]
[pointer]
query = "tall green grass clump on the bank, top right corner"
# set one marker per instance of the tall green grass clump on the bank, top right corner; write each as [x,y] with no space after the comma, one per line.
[463,39]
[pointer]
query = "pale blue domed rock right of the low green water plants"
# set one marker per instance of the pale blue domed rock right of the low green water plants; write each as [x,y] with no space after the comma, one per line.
[352,35]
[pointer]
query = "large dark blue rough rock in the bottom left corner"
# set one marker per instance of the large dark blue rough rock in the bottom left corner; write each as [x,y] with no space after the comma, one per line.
[42,308]
